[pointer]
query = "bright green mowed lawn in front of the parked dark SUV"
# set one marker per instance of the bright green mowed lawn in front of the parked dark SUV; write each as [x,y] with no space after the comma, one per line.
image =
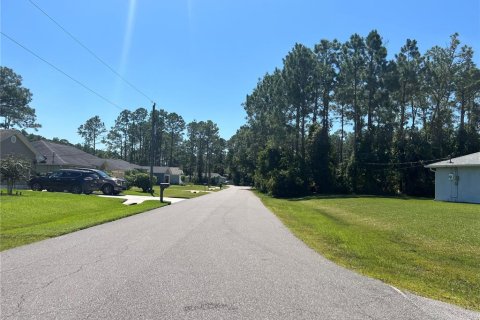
[36,216]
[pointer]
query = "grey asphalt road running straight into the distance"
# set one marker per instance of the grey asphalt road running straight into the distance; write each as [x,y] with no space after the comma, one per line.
[220,256]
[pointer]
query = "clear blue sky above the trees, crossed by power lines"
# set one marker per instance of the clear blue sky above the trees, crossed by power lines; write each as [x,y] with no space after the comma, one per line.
[199,58]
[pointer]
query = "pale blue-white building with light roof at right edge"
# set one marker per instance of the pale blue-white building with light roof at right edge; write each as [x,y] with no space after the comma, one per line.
[458,179]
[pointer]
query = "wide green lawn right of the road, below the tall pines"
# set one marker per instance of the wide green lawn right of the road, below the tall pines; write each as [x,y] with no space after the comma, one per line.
[427,247]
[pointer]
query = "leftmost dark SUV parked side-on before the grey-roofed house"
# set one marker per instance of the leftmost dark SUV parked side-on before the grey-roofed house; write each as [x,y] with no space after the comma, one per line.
[72,180]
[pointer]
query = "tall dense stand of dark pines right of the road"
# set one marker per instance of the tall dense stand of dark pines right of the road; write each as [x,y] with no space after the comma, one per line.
[342,117]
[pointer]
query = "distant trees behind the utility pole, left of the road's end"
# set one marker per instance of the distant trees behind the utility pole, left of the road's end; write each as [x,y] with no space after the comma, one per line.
[196,147]
